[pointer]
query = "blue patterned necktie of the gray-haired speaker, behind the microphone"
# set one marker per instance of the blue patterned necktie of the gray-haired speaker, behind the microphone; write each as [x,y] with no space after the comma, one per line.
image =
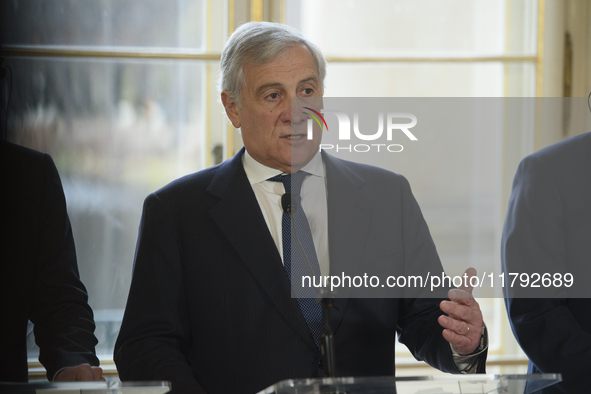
[293,261]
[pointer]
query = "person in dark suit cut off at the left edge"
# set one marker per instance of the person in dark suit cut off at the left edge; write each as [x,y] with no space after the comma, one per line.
[40,280]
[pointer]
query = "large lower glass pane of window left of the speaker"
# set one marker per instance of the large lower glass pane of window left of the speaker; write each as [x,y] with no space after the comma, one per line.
[117,130]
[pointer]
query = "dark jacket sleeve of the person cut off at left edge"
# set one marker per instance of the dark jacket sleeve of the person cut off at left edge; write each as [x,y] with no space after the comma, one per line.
[64,324]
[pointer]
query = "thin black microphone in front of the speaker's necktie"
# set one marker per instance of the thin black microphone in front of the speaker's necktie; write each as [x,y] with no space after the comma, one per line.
[290,206]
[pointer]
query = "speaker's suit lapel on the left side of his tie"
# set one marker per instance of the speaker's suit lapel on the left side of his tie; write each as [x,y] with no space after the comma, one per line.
[239,217]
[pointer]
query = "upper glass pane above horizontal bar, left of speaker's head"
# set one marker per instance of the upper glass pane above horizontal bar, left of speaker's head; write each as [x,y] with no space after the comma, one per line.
[149,23]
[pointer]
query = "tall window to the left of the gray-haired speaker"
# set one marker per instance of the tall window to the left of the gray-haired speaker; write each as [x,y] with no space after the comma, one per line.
[121,94]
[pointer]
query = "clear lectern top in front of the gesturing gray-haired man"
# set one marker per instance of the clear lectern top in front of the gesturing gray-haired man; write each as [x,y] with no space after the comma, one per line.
[444,384]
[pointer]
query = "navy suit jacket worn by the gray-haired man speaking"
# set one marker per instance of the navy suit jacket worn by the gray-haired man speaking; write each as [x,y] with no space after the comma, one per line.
[210,308]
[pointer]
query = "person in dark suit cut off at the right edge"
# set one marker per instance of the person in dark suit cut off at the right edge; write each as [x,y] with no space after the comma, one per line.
[548,231]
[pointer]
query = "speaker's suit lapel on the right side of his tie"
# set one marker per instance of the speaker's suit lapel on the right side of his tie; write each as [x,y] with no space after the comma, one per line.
[349,216]
